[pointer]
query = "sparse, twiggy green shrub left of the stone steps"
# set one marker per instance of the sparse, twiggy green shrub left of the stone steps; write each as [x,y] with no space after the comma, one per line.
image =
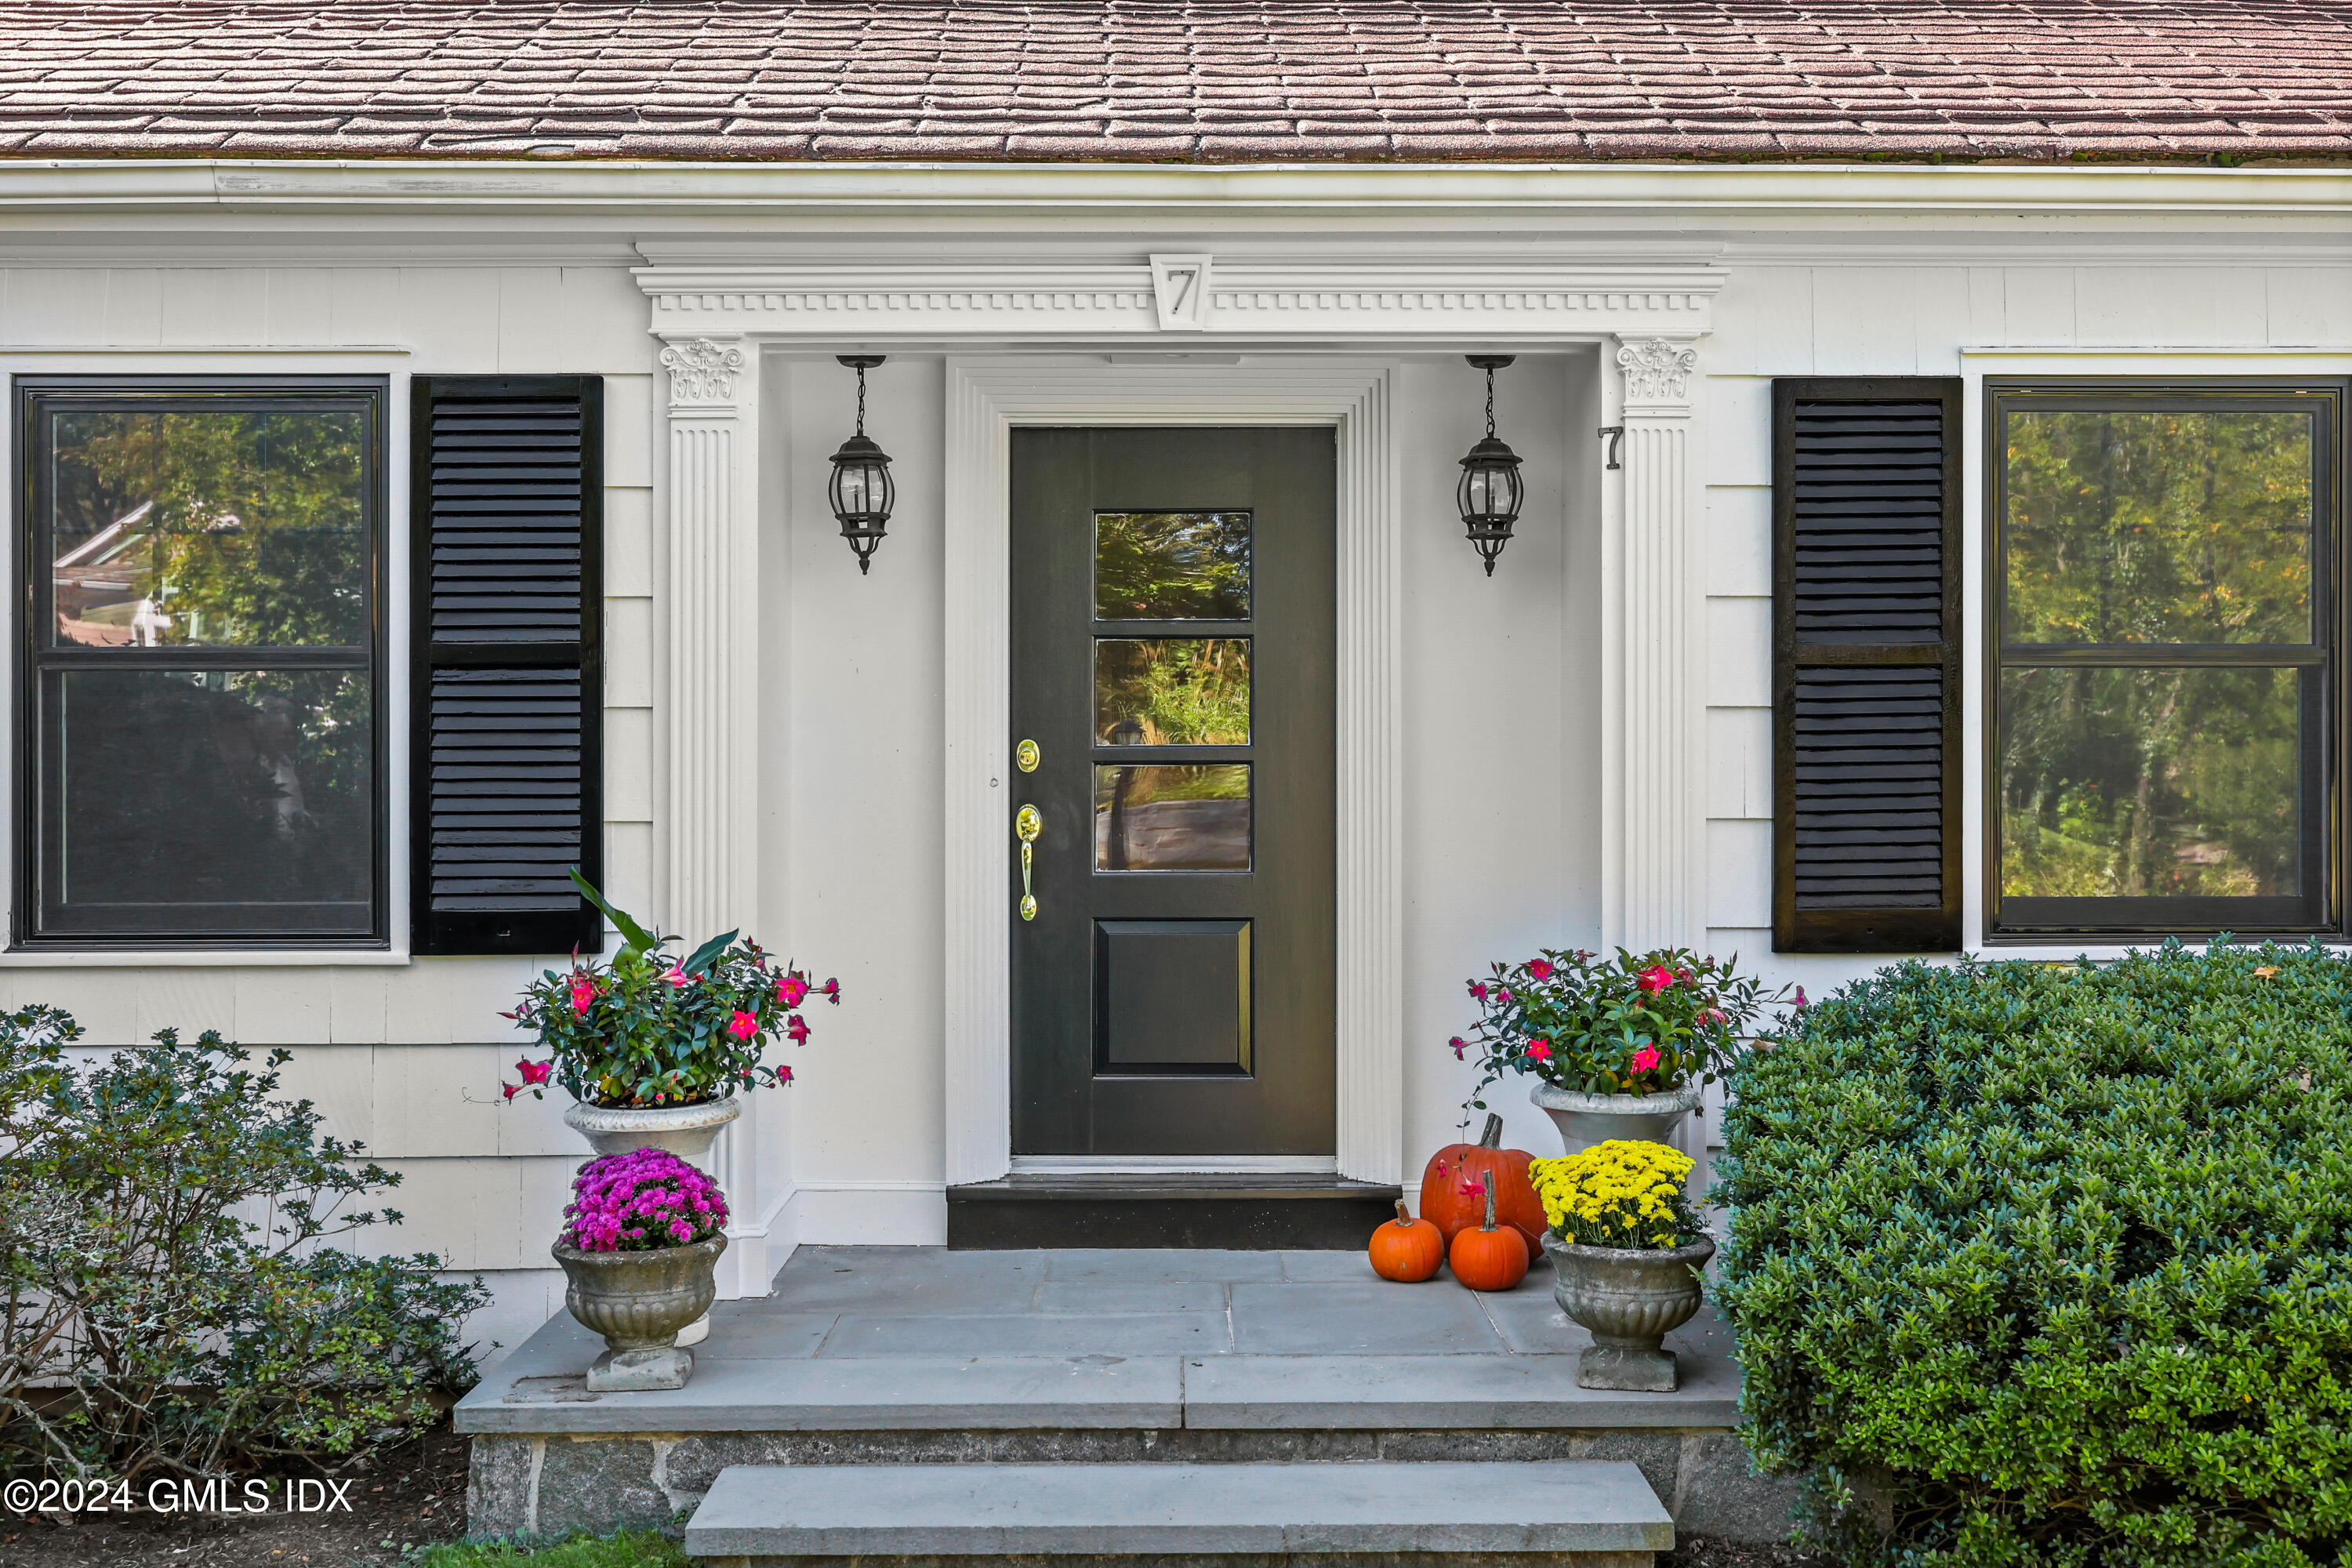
[168,1271]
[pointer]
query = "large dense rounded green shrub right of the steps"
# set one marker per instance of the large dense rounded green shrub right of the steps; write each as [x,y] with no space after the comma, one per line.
[2052,1266]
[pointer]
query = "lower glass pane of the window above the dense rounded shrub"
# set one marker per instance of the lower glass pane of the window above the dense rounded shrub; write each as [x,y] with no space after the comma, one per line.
[2151,784]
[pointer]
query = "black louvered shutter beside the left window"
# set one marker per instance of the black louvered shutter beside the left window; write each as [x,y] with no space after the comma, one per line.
[507,742]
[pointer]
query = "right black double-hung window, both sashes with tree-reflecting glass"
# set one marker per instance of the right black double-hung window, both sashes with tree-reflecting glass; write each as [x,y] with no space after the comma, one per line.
[2163,657]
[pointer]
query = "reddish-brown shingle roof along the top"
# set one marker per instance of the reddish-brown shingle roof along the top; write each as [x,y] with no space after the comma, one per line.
[1217,81]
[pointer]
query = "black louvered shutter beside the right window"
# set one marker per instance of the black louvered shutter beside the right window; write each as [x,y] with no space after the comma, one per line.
[1866,664]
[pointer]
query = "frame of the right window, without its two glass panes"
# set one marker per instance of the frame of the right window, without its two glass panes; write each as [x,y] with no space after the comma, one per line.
[2325,765]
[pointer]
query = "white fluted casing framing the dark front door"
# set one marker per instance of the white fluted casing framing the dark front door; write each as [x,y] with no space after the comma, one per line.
[987,398]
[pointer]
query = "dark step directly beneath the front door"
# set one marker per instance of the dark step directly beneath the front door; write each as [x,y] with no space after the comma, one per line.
[1231,1212]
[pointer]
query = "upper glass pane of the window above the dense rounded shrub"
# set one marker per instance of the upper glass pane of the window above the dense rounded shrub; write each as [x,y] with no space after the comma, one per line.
[2160,528]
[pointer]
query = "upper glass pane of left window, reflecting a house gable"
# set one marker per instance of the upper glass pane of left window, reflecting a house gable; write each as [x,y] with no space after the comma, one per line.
[227,528]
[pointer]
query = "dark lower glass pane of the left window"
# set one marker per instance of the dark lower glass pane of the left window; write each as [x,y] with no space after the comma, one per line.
[213,800]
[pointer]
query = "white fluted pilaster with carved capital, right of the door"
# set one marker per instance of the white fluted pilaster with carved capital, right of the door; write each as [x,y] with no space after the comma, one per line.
[1655,800]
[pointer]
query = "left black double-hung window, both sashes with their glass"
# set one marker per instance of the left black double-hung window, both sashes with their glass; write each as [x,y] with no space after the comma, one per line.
[208,685]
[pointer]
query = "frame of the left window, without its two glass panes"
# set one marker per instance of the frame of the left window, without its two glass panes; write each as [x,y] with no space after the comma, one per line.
[36,398]
